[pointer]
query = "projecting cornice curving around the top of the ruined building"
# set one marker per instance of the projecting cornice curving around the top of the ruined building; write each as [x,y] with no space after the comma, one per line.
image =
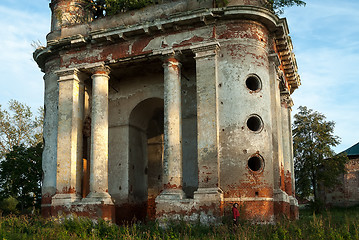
[200,16]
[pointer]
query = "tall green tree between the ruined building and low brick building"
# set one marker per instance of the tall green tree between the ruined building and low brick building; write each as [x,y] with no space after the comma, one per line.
[315,162]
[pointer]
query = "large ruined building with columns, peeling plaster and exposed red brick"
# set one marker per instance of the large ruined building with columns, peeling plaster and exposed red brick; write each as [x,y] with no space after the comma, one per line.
[176,110]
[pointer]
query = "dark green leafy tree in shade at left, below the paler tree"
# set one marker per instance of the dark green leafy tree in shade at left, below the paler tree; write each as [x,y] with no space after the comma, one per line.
[20,176]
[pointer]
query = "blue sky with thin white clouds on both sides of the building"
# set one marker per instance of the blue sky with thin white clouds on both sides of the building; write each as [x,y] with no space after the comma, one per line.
[325,36]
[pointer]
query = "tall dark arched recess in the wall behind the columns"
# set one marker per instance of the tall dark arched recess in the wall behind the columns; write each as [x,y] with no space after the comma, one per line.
[145,156]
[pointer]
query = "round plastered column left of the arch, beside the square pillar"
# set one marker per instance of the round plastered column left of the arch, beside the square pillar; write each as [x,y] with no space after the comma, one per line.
[99,137]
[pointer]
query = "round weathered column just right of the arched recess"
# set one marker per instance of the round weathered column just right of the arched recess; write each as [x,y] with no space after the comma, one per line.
[172,159]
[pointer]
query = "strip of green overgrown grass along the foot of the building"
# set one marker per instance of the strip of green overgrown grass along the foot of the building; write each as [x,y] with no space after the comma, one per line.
[333,224]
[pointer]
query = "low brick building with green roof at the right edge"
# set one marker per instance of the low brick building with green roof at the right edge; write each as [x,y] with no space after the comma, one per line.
[346,193]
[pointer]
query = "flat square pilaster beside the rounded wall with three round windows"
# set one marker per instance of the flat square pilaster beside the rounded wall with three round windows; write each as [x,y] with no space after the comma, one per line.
[207,119]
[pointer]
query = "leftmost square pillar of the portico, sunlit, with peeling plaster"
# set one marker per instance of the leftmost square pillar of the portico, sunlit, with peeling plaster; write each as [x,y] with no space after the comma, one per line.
[69,137]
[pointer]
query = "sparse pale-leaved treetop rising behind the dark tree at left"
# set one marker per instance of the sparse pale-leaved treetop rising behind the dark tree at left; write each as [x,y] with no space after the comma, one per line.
[19,126]
